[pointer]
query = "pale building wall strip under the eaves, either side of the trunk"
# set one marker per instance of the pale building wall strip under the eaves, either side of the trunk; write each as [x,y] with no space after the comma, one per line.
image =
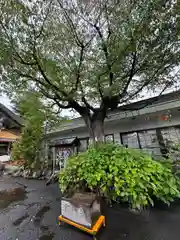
[126,125]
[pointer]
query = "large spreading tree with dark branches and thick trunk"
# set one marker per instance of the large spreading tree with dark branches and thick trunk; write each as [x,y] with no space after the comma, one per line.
[89,56]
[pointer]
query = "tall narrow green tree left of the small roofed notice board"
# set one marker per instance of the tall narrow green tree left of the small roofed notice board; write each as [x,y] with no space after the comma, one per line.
[27,148]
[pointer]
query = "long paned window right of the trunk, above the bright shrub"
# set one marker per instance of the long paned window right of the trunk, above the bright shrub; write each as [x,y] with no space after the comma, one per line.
[157,142]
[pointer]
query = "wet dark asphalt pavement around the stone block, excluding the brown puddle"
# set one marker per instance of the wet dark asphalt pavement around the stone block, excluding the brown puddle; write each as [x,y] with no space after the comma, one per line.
[35,218]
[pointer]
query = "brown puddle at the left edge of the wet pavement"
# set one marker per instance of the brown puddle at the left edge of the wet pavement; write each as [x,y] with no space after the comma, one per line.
[11,195]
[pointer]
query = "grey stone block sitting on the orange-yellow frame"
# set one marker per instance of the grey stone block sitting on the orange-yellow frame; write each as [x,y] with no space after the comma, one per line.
[82,208]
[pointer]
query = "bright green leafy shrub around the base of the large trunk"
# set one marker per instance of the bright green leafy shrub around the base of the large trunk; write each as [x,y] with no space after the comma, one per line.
[122,174]
